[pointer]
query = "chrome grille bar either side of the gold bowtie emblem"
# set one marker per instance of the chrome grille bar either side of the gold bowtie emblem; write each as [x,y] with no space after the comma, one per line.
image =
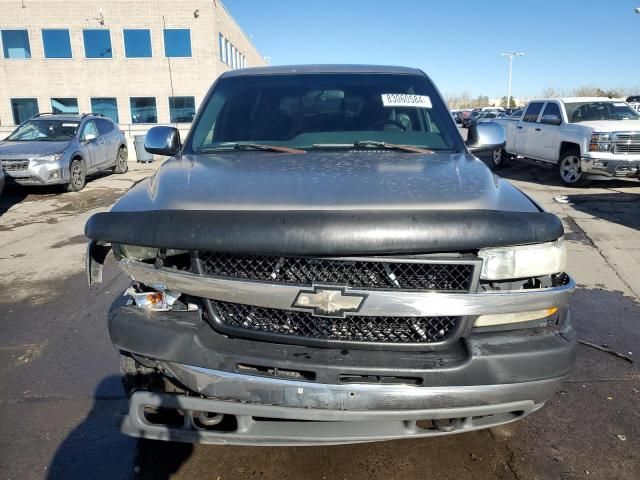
[377,302]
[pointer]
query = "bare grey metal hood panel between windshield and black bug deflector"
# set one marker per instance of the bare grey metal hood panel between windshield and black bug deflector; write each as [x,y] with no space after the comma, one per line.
[252,181]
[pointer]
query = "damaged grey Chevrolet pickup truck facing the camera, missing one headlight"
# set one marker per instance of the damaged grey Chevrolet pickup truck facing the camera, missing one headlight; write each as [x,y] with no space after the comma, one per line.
[323,260]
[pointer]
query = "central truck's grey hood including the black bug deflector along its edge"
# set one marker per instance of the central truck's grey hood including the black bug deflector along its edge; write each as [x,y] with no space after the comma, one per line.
[321,203]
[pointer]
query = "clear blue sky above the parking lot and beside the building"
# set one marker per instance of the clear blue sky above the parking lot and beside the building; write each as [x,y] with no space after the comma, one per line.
[567,43]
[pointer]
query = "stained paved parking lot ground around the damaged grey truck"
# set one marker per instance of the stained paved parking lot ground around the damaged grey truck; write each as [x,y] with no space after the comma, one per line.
[61,400]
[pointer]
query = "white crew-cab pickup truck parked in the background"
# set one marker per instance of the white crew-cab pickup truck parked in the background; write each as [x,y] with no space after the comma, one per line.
[584,137]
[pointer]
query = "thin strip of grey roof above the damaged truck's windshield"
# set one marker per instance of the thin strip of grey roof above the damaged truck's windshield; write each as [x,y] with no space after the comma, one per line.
[319,68]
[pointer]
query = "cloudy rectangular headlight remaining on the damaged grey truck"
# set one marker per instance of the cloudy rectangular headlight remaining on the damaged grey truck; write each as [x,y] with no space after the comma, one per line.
[524,261]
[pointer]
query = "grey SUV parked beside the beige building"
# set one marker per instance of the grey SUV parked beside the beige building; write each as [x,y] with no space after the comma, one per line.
[63,149]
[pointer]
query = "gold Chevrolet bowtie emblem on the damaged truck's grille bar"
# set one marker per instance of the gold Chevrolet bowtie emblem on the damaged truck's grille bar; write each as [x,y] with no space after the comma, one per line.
[328,301]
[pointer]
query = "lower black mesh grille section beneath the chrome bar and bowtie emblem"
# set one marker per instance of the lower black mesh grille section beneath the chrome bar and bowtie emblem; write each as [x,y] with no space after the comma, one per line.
[302,325]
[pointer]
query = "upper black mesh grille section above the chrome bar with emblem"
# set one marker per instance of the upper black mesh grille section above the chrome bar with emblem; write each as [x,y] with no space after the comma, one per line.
[354,273]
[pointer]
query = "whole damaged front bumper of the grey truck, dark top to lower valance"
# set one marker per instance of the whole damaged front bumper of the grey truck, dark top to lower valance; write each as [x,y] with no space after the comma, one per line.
[338,395]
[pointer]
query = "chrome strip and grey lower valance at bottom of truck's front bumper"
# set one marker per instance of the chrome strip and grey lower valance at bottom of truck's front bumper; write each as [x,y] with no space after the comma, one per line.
[282,412]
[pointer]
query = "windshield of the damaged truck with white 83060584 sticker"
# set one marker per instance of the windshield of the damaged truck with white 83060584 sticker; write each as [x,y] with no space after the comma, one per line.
[317,110]
